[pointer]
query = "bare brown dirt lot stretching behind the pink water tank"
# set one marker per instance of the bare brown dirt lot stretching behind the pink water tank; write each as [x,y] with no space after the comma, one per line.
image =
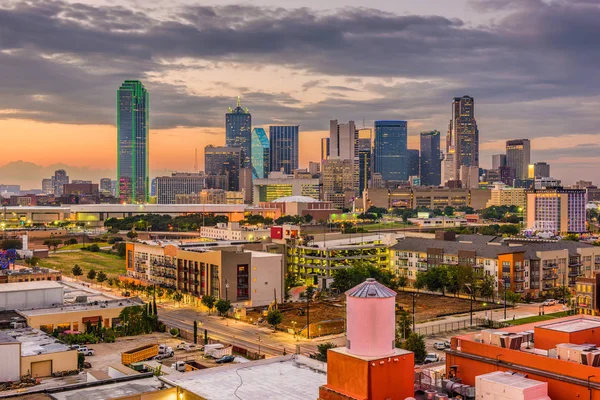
[427,307]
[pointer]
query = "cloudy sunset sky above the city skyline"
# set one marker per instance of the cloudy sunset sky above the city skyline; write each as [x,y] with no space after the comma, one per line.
[531,65]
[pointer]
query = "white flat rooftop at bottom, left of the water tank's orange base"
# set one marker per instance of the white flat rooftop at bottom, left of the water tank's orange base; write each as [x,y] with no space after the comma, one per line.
[288,377]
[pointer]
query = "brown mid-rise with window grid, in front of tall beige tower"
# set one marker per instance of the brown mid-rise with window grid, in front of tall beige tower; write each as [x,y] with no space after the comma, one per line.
[338,182]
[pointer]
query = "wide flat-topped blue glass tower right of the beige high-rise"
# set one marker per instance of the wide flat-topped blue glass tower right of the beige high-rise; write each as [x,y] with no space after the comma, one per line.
[390,150]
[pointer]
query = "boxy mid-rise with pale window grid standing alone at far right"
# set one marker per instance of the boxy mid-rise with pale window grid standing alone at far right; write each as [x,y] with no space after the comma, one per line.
[556,210]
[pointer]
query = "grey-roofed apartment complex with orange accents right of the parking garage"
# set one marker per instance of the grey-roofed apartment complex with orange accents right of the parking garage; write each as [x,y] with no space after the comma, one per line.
[526,266]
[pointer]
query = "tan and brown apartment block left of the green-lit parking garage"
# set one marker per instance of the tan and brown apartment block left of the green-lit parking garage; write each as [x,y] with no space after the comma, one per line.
[246,278]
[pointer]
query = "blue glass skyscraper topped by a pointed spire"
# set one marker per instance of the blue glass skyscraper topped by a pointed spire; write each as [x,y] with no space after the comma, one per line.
[238,132]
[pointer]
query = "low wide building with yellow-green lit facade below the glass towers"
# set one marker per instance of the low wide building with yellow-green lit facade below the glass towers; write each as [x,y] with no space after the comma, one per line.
[279,185]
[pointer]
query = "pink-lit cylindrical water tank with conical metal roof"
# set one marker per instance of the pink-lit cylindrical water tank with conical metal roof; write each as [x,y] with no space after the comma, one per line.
[371,319]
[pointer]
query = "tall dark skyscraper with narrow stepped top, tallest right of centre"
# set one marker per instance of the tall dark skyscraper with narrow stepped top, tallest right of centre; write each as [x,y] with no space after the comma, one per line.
[462,142]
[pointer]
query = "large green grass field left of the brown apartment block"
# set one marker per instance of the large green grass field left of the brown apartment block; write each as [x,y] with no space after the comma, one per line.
[111,264]
